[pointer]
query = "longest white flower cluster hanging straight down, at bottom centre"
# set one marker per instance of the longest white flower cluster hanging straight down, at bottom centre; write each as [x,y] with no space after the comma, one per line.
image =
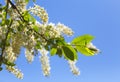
[45,62]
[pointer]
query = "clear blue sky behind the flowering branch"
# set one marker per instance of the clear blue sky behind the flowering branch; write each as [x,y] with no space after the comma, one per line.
[100,18]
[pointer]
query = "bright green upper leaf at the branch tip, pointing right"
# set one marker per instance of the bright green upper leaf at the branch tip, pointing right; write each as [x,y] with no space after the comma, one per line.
[82,40]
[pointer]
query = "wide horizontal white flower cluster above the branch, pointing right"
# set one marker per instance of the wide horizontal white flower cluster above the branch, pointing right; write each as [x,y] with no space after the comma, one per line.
[54,31]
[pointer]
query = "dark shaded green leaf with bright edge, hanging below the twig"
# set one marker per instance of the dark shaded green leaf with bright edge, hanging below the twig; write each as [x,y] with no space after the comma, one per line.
[69,53]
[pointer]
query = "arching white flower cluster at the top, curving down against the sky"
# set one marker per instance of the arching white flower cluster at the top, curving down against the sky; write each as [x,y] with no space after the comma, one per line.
[40,12]
